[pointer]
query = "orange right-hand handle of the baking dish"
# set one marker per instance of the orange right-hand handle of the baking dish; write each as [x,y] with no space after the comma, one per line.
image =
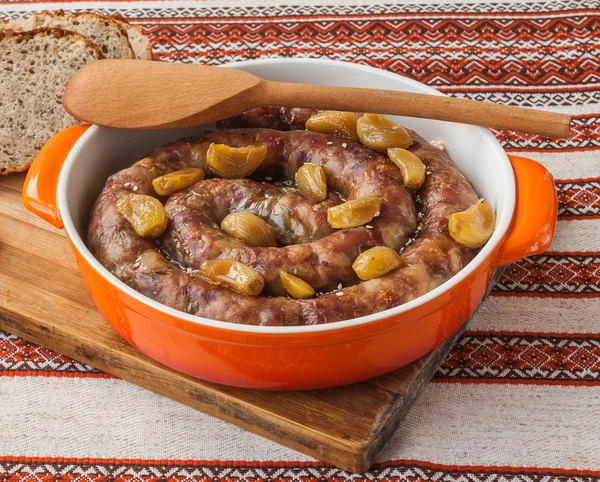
[536,212]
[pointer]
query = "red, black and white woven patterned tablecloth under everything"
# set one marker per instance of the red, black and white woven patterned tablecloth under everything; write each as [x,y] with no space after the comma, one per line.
[518,399]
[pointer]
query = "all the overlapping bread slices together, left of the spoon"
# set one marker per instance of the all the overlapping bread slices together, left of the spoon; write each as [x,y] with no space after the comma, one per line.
[38,56]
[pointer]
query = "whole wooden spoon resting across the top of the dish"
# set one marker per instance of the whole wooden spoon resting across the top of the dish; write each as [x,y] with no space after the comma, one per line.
[138,94]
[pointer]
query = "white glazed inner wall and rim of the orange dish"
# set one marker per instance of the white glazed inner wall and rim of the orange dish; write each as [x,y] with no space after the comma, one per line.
[102,151]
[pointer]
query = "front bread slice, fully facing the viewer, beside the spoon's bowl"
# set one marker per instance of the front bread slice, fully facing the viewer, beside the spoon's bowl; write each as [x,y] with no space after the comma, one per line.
[35,67]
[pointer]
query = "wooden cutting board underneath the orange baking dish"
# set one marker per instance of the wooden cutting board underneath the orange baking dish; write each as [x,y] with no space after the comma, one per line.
[43,299]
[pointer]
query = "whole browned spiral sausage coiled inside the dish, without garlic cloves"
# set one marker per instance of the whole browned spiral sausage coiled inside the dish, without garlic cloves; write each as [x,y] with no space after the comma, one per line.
[352,170]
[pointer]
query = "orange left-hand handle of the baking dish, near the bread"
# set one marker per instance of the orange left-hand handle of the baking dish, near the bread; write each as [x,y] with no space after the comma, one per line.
[39,189]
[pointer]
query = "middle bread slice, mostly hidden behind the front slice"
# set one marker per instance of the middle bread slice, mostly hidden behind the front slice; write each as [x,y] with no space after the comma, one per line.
[106,33]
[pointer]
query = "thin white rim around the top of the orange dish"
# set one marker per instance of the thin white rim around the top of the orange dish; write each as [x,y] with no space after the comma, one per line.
[503,223]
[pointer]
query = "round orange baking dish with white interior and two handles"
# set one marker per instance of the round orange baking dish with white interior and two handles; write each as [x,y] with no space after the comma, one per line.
[71,169]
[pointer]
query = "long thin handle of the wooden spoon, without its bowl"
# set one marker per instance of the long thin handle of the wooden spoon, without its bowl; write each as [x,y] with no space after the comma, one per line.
[409,104]
